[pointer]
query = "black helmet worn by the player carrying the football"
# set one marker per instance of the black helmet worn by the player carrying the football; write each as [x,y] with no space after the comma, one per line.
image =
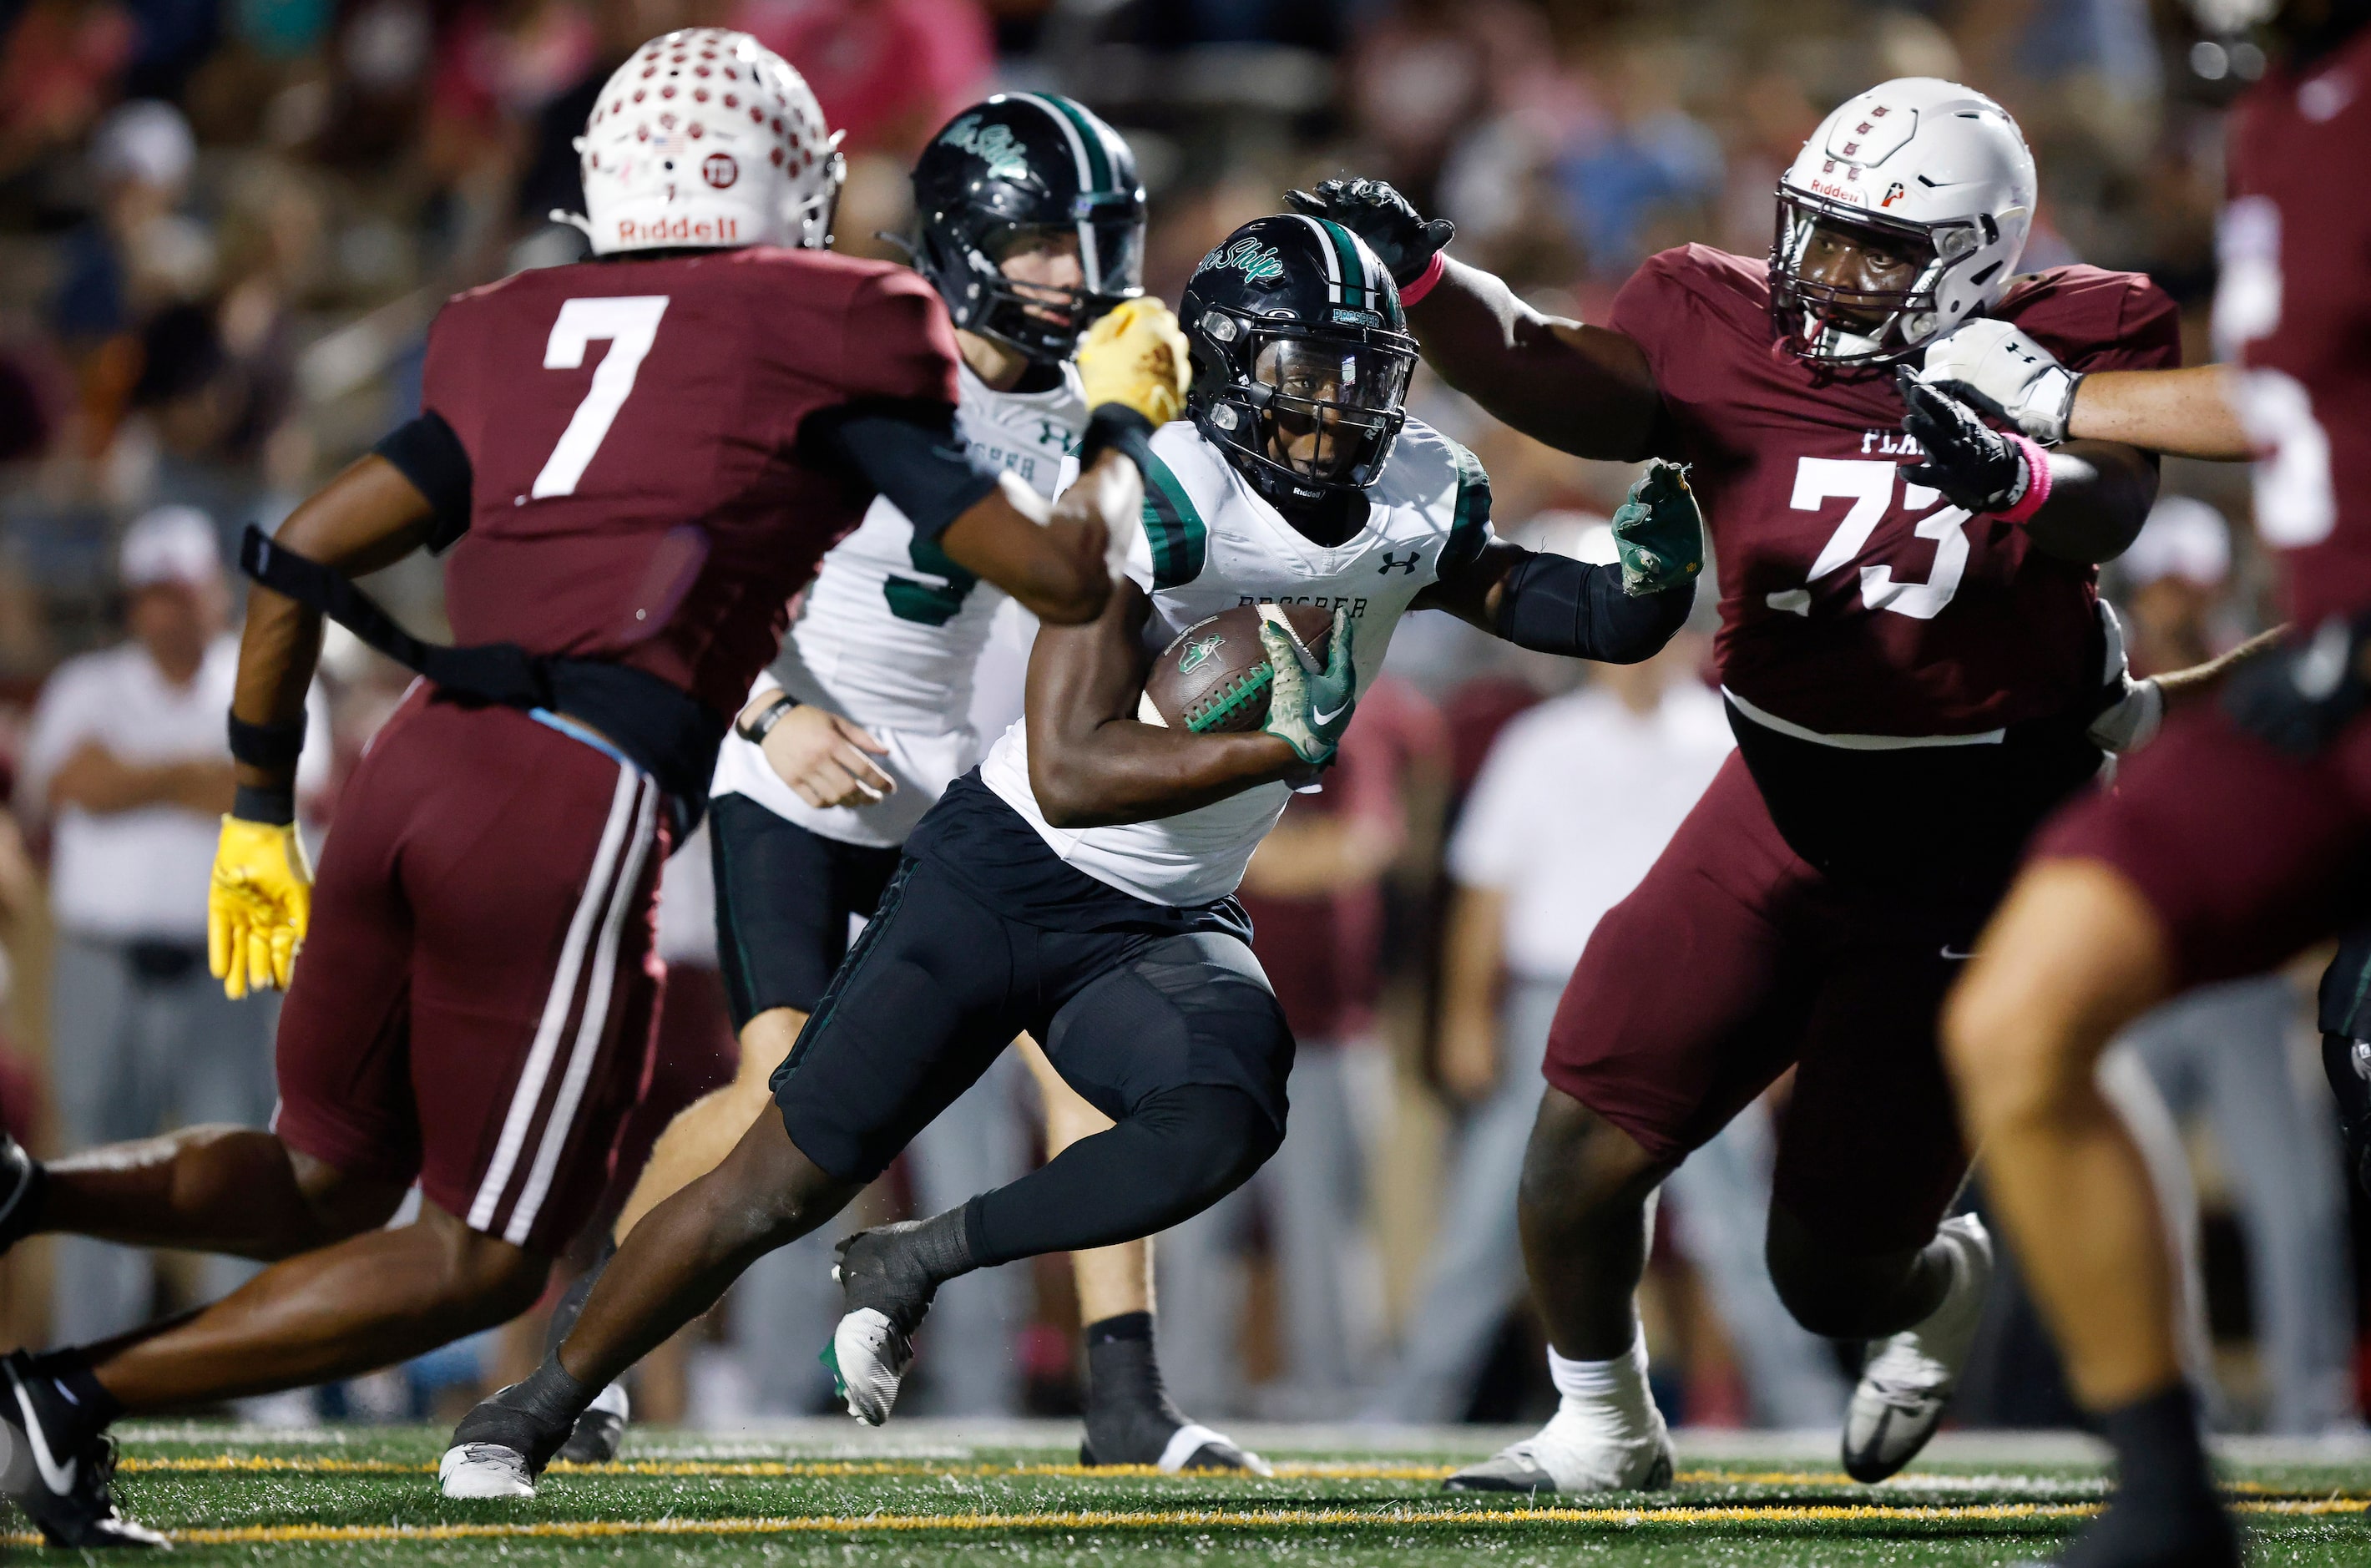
[1300,357]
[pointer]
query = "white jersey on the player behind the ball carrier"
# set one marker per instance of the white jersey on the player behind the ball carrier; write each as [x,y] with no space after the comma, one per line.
[893,630]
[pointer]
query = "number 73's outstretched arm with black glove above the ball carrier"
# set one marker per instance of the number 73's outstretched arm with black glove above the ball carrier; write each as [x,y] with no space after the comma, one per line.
[1578,388]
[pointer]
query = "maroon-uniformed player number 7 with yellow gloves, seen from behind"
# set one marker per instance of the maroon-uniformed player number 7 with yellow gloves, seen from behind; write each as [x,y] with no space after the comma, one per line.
[630,464]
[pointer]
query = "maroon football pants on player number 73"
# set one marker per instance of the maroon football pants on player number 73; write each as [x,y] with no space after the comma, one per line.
[1737,960]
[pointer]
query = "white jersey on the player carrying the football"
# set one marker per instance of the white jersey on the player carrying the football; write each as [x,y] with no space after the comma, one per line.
[1213,544]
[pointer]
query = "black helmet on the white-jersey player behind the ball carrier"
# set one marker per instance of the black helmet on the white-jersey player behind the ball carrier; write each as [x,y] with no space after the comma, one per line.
[1006,172]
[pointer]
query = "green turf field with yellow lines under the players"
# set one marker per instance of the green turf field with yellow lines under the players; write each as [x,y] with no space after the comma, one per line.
[366,1498]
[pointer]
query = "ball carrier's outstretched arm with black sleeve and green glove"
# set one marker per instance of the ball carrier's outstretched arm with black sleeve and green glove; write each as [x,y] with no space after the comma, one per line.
[1618,616]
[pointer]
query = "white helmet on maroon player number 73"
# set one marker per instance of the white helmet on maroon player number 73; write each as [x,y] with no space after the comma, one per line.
[1929,165]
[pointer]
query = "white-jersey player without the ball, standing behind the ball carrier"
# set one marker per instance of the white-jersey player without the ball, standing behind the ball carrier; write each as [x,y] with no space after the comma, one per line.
[1030,227]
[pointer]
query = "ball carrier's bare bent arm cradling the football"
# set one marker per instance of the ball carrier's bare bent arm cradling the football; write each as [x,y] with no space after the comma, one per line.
[1094,765]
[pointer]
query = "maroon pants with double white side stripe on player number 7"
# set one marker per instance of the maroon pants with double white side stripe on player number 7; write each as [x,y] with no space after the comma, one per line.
[475,1000]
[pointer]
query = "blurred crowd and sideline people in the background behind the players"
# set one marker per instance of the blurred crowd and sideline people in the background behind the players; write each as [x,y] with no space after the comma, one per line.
[226,224]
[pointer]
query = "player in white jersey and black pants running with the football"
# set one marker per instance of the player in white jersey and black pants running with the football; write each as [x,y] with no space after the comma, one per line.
[1080,886]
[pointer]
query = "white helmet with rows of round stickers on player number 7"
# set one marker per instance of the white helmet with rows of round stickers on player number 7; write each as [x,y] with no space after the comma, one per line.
[708,139]
